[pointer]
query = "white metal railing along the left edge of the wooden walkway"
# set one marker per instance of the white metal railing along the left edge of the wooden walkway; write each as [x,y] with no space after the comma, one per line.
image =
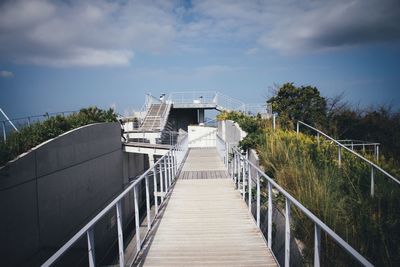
[168,167]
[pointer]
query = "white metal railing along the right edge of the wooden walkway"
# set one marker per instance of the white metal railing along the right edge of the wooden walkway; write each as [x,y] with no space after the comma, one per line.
[243,171]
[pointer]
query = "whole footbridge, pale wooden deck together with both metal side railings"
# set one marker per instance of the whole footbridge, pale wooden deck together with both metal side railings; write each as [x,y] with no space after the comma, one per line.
[201,206]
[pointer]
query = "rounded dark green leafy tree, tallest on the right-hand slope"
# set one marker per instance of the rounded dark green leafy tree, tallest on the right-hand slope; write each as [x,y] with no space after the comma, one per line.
[300,103]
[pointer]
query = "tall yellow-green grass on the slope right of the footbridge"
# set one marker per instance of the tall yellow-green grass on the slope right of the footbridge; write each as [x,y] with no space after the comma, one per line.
[339,196]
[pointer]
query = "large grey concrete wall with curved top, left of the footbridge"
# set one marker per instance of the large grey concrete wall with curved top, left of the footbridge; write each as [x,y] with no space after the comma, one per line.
[50,192]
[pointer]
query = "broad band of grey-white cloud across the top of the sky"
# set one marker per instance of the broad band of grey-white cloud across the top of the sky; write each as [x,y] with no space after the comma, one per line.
[90,33]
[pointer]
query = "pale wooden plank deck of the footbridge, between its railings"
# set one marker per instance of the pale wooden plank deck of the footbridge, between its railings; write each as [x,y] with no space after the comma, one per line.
[205,221]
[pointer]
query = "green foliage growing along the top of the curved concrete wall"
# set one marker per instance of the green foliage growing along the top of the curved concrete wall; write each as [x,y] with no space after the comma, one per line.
[31,136]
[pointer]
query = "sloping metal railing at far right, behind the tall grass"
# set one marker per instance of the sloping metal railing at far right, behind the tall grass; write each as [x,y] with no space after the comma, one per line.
[373,166]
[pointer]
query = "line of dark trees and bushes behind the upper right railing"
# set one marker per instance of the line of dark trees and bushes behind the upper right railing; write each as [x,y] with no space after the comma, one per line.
[337,118]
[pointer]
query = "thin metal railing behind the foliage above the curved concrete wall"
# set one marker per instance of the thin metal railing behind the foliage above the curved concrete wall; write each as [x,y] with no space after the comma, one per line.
[29,120]
